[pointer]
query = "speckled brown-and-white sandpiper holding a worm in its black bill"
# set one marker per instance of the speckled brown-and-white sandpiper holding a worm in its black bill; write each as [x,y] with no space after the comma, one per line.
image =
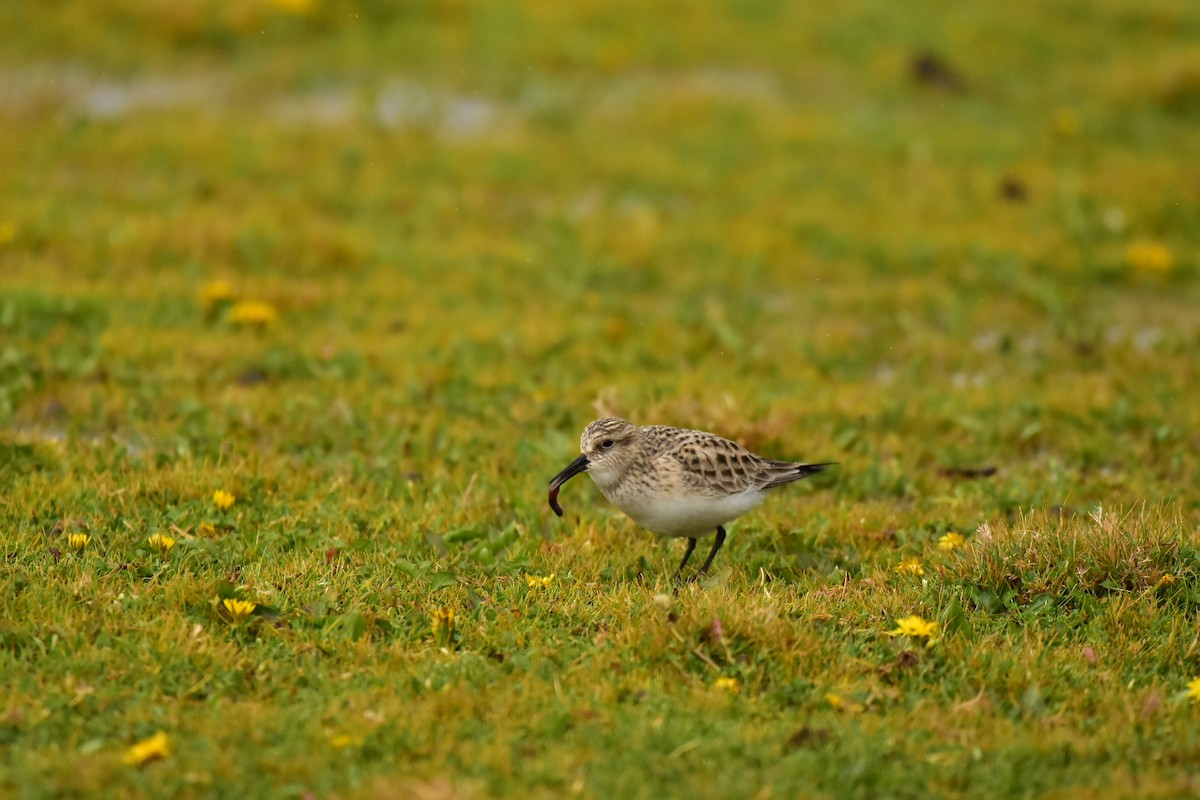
[675,482]
